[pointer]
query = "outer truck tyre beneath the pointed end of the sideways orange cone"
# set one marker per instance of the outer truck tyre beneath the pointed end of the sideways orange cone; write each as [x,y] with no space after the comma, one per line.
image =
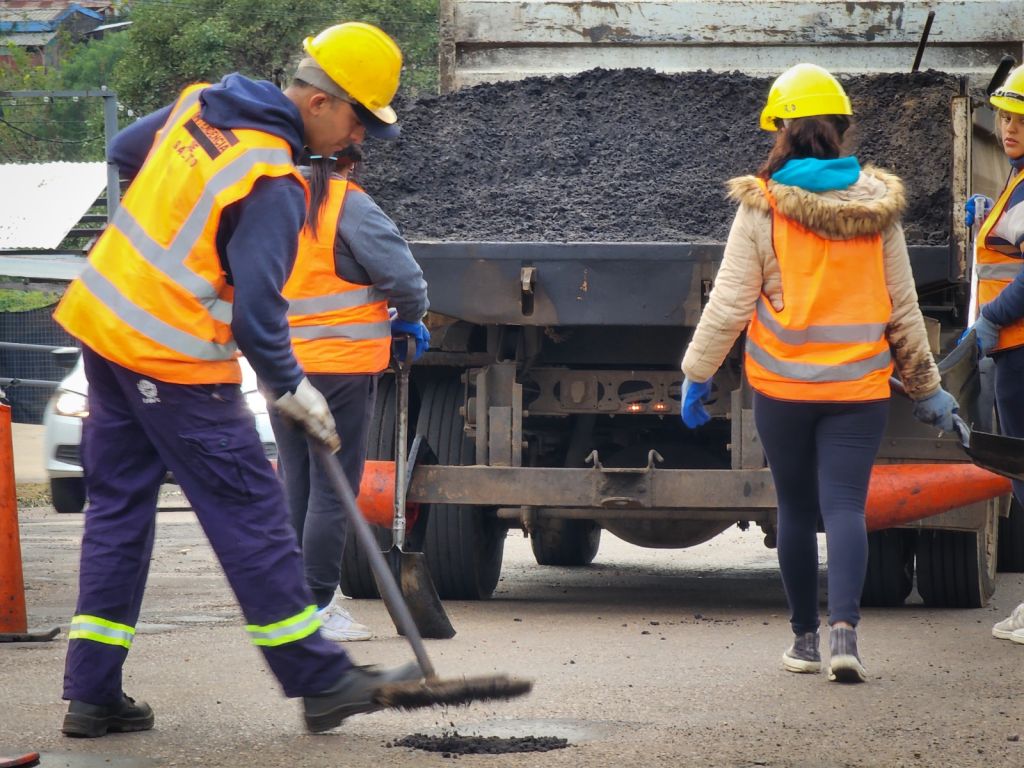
[957,570]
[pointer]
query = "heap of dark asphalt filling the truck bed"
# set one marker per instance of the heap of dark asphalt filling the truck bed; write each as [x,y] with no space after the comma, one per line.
[632,155]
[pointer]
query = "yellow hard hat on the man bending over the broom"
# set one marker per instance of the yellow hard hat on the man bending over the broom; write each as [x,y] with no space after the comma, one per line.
[363,61]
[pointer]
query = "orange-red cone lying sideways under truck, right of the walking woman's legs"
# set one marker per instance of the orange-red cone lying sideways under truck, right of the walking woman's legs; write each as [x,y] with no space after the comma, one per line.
[904,493]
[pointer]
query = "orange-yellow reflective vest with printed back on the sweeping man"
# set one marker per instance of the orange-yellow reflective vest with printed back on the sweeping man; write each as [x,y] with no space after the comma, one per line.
[154,297]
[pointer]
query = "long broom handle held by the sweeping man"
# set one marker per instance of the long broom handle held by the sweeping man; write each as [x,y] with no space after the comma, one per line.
[391,592]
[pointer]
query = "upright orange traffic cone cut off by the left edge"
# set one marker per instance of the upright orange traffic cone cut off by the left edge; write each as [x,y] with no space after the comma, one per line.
[13,616]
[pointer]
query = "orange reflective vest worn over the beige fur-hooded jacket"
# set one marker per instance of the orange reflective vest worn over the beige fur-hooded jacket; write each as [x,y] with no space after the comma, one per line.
[829,343]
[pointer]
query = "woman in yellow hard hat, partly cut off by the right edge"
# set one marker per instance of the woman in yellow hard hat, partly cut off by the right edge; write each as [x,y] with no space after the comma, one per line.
[1000,326]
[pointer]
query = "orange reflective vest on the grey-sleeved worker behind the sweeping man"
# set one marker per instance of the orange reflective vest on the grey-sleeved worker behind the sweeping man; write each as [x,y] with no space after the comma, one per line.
[337,327]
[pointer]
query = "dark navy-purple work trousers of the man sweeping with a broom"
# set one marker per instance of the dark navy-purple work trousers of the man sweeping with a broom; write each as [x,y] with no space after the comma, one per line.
[138,430]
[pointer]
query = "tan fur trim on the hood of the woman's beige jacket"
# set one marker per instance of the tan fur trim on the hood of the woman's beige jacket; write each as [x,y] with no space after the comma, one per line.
[873,204]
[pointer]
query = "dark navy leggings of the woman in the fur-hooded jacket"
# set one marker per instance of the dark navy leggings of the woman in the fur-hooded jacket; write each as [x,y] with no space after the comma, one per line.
[821,456]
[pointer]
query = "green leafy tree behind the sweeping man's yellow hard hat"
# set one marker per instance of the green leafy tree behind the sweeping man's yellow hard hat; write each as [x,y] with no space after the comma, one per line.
[172,45]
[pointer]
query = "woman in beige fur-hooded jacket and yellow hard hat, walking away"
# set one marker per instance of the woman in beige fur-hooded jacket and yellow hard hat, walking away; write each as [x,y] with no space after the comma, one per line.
[817,271]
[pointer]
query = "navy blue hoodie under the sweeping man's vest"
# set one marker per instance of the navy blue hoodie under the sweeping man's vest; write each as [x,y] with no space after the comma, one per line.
[259,236]
